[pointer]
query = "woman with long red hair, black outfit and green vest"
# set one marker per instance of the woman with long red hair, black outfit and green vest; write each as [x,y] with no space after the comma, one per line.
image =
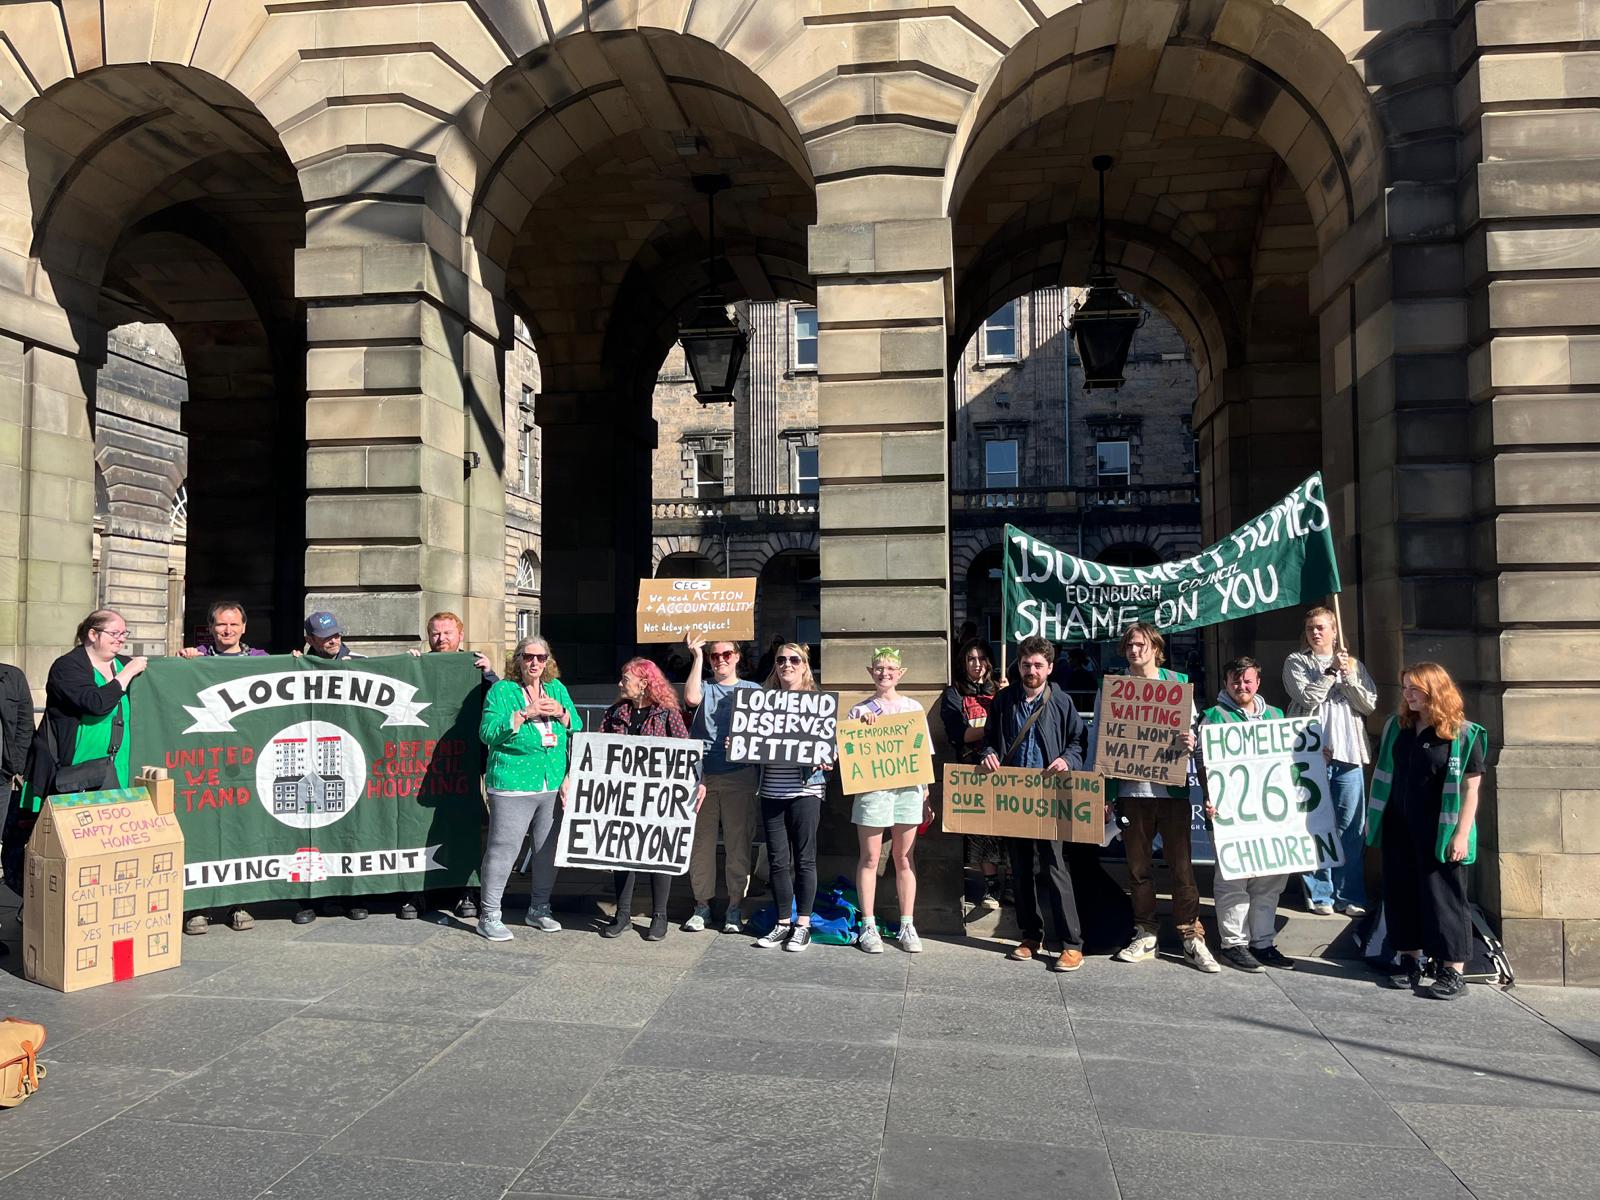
[1425,812]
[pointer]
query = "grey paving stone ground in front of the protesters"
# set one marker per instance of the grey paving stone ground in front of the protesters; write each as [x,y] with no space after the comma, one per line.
[414,1062]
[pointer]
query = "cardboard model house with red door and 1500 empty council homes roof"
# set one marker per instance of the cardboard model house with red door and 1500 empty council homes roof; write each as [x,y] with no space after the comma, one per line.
[103,895]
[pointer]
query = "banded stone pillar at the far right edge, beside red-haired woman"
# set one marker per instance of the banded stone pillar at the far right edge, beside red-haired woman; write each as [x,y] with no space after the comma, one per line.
[1534,284]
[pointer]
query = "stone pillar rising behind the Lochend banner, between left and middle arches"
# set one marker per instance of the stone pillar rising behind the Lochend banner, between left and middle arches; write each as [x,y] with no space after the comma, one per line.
[406,444]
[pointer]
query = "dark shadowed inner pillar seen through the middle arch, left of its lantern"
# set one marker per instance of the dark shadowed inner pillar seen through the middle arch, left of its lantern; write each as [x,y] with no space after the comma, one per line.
[596,542]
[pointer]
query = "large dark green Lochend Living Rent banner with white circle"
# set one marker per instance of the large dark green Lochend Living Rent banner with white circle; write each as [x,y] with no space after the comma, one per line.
[303,778]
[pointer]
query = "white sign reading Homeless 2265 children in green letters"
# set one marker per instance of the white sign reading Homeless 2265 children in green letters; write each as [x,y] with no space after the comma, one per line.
[1270,783]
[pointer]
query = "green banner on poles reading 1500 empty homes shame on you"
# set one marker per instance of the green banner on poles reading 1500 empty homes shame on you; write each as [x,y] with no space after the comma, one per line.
[1281,559]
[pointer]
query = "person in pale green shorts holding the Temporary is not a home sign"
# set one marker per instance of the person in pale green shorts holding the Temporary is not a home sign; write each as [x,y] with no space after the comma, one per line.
[900,810]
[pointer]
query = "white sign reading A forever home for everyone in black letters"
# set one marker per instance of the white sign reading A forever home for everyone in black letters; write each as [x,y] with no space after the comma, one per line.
[631,804]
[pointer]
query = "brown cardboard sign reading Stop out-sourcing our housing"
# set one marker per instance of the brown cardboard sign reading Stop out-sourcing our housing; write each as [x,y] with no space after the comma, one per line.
[1023,802]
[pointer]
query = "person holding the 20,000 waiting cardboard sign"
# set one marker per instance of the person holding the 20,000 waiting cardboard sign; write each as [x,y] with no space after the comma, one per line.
[1148,810]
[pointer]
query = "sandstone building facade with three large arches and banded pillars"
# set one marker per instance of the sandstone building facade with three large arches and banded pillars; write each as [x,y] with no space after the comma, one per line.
[1369,222]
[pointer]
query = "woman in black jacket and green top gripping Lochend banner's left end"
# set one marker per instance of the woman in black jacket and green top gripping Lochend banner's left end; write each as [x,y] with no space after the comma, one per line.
[86,738]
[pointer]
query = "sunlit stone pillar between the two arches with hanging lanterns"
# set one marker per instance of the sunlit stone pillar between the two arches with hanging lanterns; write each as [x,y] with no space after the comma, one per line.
[884,511]
